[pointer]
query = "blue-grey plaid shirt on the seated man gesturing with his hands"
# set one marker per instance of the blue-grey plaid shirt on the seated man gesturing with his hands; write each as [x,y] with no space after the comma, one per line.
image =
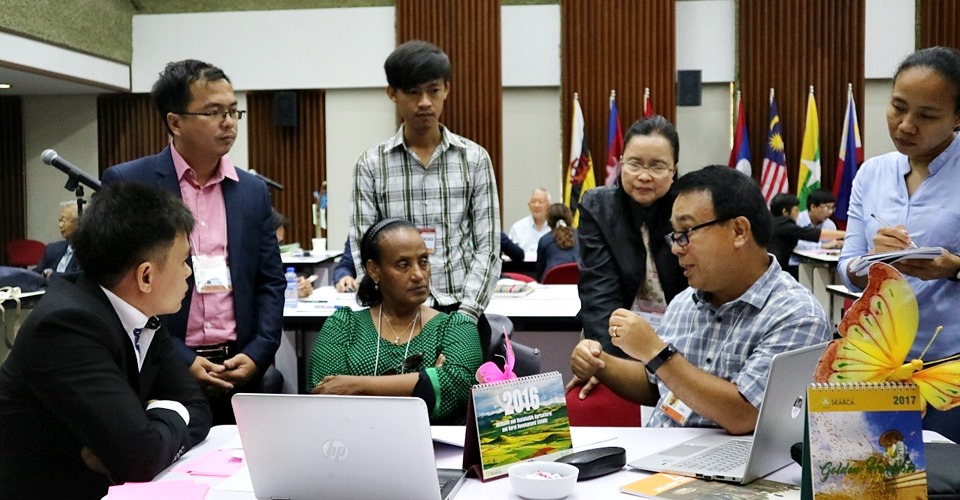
[737,340]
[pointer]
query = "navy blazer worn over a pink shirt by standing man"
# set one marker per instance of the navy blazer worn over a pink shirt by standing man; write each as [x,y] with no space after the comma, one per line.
[253,256]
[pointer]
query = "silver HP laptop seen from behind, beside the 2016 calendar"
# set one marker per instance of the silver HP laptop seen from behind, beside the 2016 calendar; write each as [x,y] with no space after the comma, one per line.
[305,447]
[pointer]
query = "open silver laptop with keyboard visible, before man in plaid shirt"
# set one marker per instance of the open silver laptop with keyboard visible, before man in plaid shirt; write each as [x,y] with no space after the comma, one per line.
[742,459]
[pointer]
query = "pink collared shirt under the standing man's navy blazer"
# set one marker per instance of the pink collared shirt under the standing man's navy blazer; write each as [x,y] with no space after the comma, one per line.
[211,319]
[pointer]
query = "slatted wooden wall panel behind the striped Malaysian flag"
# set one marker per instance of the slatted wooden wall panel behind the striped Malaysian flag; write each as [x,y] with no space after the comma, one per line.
[790,46]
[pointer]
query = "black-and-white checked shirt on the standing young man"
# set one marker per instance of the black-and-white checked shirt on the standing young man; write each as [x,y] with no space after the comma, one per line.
[455,194]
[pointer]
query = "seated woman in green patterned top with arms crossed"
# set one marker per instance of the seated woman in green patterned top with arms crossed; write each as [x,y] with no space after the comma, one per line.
[398,346]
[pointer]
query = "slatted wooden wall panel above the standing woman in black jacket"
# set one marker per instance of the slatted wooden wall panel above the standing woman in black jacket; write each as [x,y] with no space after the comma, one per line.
[616,45]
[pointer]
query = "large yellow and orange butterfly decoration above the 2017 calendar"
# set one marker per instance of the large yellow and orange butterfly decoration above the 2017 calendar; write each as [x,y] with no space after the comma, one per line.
[877,334]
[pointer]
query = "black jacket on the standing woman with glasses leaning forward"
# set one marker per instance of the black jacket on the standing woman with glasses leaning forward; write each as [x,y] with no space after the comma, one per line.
[613,257]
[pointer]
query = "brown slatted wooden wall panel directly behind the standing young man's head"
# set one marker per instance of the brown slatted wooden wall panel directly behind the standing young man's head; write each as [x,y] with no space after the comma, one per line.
[469,32]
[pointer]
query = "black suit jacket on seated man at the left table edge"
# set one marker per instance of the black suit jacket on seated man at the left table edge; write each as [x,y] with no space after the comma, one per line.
[71,381]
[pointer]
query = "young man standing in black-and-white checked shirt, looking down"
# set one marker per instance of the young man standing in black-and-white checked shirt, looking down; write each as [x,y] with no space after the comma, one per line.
[441,182]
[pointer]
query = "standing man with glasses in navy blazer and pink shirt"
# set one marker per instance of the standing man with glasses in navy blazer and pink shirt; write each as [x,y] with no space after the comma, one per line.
[228,329]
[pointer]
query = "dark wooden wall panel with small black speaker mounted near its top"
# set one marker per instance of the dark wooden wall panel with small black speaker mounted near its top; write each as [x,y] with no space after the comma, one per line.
[293,156]
